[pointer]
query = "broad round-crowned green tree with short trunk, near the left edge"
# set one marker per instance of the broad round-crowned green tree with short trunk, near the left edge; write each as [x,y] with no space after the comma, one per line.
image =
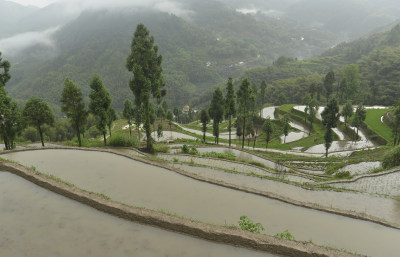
[37,113]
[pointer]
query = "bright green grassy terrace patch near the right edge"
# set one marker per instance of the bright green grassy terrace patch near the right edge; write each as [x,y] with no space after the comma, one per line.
[373,121]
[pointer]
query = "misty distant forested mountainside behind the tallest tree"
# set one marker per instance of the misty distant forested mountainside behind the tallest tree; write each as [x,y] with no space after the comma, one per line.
[199,51]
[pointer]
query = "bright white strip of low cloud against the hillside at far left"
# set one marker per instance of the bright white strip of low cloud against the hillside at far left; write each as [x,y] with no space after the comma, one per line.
[17,43]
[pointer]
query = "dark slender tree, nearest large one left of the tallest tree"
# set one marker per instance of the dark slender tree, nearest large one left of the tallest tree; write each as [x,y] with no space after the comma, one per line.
[99,104]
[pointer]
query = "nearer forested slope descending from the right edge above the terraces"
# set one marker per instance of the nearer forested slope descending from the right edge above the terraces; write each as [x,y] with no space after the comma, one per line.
[378,59]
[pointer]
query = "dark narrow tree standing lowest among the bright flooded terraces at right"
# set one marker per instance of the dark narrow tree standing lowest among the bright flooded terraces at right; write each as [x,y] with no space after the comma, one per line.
[330,117]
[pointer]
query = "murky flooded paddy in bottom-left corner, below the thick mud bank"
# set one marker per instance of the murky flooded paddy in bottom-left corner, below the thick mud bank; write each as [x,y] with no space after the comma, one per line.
[37,222]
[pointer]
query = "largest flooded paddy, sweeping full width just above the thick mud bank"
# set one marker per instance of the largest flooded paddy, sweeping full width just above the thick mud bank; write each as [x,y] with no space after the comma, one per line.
[139,184]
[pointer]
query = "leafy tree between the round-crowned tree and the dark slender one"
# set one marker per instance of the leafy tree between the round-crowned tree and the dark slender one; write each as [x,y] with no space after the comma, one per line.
[73,107]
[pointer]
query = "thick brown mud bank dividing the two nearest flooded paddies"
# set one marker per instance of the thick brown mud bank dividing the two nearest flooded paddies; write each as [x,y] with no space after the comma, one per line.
[231,236]
